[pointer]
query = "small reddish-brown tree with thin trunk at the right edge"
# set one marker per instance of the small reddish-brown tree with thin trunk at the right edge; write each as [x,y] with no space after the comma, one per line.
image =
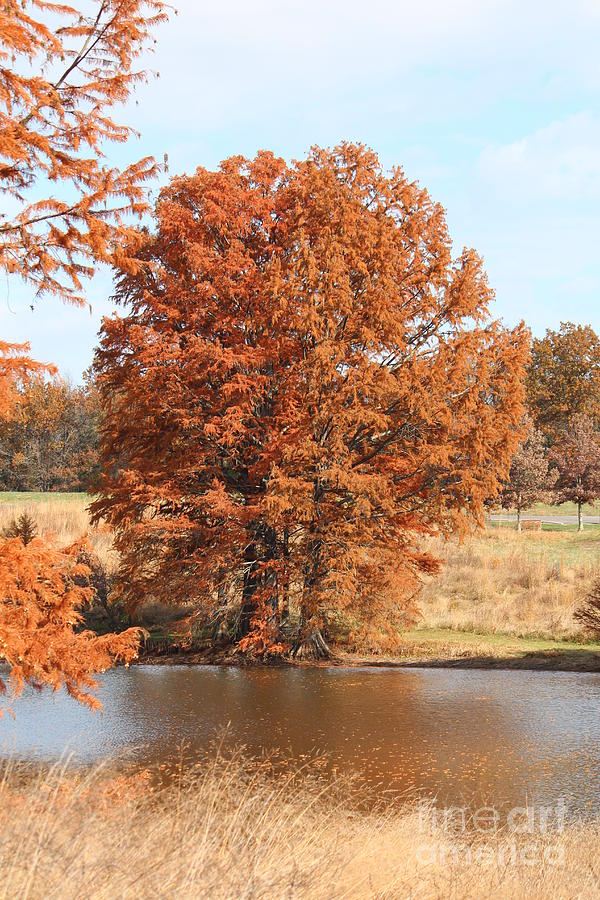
[576,456]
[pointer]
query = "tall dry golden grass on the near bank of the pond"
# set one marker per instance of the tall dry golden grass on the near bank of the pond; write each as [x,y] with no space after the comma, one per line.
[228,831]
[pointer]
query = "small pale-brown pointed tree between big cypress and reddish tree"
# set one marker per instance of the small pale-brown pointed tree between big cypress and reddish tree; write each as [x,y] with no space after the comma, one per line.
[530,479]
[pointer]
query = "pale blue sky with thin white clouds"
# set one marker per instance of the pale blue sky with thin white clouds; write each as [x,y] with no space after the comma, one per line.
[492,105]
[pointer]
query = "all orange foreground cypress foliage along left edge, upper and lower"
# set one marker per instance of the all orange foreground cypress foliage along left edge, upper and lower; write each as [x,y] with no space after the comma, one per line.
[61,71]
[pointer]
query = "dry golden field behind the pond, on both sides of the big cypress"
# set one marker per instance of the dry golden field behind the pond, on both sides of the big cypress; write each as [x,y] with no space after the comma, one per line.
[496,582]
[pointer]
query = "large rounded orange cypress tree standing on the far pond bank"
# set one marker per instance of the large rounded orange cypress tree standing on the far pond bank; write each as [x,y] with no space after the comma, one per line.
[305,385]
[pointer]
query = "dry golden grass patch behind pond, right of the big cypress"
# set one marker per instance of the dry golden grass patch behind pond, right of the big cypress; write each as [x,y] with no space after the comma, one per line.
[500,581]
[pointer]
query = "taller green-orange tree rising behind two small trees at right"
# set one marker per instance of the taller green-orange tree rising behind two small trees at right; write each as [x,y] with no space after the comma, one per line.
[563,379]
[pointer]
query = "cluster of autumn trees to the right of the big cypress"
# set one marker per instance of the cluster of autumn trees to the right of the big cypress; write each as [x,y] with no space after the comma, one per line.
[559,458]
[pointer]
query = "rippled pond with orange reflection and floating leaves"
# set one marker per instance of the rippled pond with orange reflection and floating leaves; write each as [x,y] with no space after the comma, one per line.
[497,737]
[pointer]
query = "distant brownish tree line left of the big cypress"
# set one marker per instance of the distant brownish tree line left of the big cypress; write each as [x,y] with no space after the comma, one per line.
[50,442]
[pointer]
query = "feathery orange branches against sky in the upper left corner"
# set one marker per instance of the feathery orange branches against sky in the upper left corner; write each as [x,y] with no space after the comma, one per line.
[61,70]
